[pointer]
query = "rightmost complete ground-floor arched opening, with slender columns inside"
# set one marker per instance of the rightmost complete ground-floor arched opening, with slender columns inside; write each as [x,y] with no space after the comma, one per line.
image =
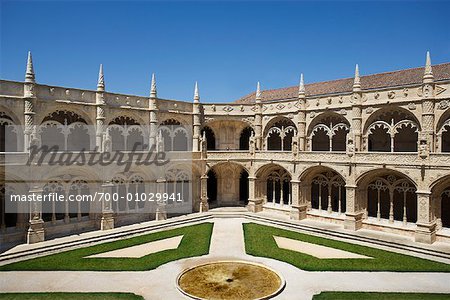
[392,197]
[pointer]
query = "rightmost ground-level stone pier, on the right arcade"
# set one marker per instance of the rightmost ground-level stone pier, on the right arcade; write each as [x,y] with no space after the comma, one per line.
[426,225]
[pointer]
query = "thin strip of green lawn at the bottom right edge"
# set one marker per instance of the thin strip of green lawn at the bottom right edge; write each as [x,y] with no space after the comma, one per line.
[378,296]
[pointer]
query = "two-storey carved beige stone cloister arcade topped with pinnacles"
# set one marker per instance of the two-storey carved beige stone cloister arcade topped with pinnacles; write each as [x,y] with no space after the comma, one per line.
[364,152]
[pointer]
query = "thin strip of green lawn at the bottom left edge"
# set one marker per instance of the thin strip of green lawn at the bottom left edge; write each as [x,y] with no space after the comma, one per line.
[70,296]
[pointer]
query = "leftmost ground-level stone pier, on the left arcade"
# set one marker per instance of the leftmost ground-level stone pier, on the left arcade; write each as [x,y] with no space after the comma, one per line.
[36,231]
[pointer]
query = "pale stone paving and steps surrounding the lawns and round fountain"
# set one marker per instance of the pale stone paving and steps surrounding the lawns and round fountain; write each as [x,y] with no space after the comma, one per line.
[227,243]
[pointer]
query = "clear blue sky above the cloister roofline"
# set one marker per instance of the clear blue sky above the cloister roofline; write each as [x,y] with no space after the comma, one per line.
[226,46]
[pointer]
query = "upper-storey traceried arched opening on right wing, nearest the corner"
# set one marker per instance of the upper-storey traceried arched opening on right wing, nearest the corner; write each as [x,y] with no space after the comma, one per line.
[279,135]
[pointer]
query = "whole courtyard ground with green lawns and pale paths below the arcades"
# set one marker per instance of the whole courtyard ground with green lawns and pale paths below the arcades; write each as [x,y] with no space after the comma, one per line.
[315,260]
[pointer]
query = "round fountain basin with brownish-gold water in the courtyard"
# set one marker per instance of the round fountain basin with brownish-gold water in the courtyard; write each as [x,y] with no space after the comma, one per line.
[230,280]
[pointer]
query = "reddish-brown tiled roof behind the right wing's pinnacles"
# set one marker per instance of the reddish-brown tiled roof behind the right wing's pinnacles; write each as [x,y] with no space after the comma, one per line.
[381,80]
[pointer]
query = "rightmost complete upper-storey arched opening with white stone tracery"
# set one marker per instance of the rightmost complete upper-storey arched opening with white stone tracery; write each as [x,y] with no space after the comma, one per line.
[392,130]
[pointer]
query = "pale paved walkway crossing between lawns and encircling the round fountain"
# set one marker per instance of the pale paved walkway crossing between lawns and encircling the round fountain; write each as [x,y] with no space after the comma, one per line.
[227,243]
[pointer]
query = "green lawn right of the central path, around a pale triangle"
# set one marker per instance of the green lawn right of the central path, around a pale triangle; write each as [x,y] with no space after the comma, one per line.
[259,241]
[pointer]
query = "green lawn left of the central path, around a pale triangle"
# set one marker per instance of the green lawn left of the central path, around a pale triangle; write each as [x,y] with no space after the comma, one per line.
[195,242]
